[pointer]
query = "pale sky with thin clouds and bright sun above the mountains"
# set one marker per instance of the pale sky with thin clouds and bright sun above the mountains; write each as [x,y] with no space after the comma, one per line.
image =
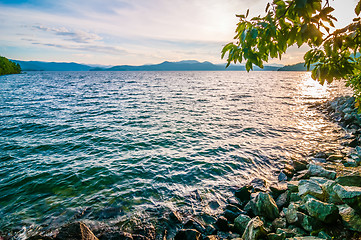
[134,32]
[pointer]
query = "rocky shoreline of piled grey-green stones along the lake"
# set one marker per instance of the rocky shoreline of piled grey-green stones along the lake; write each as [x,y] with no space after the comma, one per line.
[317,199]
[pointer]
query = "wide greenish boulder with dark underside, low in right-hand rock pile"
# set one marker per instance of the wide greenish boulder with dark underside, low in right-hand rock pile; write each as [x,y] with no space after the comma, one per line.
[325,212]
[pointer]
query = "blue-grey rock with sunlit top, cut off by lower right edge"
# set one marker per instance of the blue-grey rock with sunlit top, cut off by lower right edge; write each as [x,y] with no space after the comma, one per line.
[349,195]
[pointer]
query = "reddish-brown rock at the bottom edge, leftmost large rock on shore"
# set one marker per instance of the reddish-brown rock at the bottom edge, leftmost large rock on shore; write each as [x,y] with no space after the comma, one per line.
[75,231]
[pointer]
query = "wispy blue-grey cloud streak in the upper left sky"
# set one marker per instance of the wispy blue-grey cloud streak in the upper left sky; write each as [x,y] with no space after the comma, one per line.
[78,36]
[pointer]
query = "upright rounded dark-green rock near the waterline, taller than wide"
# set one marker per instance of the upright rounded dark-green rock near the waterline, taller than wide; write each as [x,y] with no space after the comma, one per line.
[266,206]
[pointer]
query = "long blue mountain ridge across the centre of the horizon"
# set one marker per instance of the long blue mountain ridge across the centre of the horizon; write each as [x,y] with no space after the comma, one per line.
[188,65]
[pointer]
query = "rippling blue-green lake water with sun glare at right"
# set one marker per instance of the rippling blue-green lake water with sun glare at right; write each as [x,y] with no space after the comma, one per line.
[122,143]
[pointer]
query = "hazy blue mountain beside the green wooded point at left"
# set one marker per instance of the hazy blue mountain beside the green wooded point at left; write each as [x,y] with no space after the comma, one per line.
[51,66]
